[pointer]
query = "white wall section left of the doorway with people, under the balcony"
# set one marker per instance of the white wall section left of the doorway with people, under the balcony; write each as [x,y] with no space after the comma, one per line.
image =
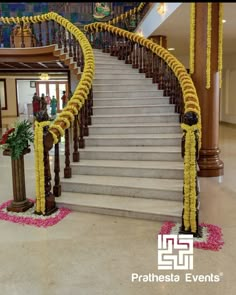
[25,94]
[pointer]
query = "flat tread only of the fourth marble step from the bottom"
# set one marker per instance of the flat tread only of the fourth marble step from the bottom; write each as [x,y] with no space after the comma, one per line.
[131,149]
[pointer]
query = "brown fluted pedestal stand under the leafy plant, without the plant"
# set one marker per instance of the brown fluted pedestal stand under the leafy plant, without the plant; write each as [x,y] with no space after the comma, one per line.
[20,203]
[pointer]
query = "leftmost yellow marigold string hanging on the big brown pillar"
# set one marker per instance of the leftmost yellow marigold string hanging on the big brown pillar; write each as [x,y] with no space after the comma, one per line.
[192,37]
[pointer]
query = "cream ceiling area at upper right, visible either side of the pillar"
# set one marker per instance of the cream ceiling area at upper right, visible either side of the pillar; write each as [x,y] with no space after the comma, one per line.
[176,28]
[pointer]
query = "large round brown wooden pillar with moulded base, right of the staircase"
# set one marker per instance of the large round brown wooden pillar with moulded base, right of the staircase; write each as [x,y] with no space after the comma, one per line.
[209,161]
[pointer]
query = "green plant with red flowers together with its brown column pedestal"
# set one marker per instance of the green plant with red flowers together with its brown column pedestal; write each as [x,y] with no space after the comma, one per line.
[15,143]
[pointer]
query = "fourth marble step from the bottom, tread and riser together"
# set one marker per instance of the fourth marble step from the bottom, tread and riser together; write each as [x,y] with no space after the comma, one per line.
[131,153]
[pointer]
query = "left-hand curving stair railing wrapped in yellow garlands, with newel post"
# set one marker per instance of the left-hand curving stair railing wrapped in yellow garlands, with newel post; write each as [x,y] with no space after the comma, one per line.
[74,119]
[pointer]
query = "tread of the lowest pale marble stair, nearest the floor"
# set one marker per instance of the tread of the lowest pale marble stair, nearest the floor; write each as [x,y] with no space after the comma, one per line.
[151,206]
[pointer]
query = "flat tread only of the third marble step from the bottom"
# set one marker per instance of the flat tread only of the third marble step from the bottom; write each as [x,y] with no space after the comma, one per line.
[175,165]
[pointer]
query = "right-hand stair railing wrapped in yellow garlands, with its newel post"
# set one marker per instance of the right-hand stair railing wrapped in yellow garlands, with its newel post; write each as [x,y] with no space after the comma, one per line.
[171,77]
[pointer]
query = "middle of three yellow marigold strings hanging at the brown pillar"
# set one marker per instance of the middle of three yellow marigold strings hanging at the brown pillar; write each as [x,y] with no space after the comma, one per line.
[208,53]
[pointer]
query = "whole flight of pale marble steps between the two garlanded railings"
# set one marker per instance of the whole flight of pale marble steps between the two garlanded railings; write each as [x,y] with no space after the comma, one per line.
[131,164]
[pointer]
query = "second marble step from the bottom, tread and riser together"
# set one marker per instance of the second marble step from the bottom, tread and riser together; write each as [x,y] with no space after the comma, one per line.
[150,188]
